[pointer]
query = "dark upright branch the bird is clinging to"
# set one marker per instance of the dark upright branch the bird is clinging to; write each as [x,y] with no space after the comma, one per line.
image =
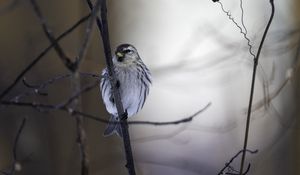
[103,27]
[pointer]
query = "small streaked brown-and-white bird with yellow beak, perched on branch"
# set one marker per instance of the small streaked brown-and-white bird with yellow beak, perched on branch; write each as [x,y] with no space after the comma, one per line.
[133,82]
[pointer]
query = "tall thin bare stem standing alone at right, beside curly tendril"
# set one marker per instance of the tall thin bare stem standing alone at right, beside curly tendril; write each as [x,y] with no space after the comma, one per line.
[252,86]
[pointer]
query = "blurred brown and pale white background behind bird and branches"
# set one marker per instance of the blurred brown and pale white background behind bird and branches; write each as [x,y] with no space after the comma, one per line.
[196,56]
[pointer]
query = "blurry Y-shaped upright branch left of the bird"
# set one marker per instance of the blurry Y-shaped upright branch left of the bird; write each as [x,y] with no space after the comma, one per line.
[75,77]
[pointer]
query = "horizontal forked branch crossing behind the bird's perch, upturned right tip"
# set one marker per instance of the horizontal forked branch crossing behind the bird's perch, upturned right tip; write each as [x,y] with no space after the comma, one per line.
[64,105]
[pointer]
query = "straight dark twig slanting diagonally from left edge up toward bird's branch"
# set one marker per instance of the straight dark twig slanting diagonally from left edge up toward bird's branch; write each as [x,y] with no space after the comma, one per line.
[40,56]
